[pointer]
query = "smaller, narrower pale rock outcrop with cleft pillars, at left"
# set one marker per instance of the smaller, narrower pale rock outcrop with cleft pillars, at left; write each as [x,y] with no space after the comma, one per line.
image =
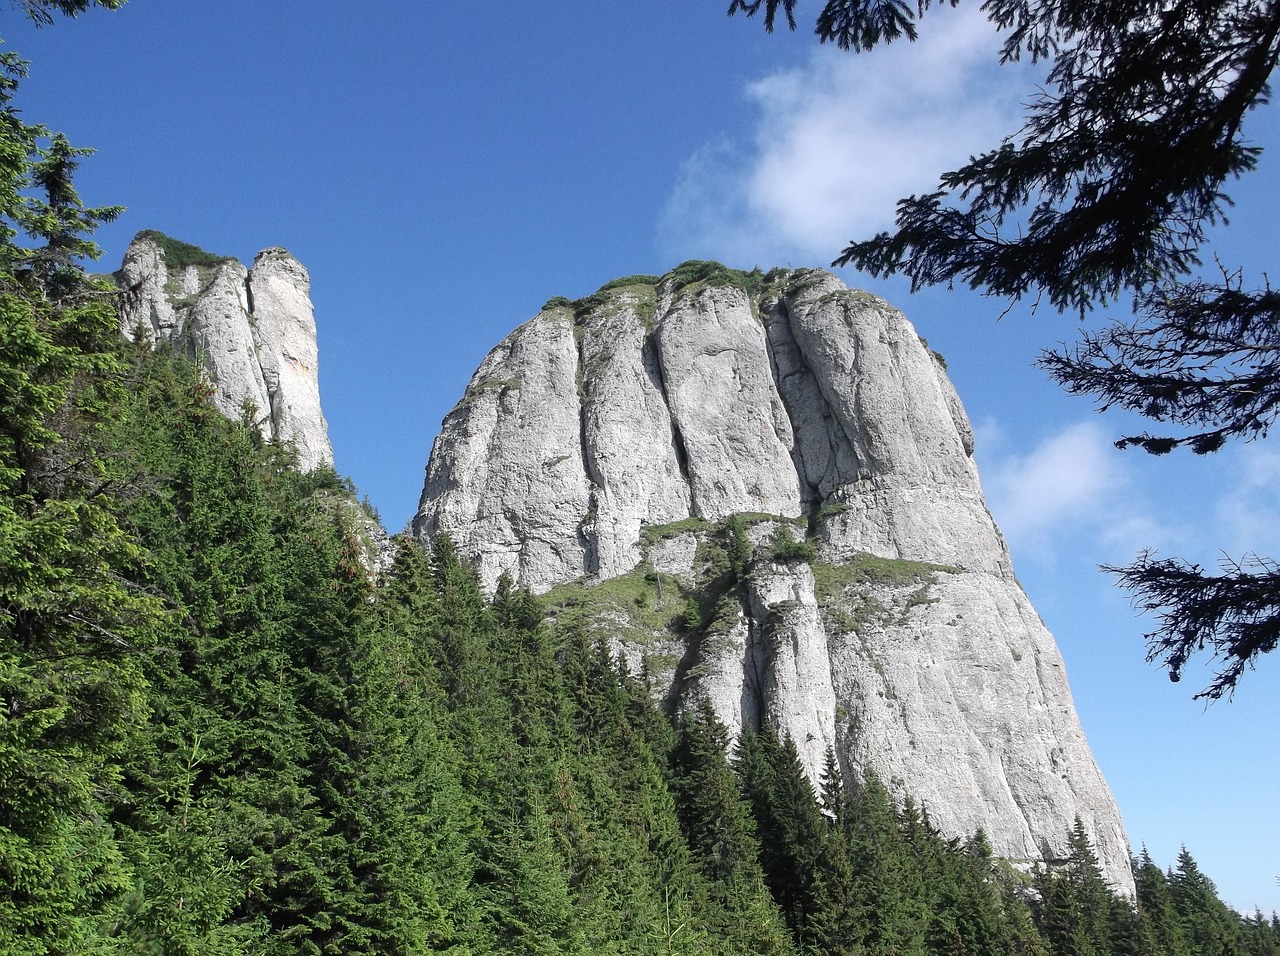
[253,331]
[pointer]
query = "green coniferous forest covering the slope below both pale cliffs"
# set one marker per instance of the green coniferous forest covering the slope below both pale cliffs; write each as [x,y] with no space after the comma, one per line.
[222,735]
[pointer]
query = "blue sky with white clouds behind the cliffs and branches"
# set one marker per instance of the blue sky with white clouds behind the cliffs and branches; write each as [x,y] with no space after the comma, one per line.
[444,171]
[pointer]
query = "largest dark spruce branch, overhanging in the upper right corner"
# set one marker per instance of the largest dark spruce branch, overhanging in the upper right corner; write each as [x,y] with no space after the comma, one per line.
[1099,214]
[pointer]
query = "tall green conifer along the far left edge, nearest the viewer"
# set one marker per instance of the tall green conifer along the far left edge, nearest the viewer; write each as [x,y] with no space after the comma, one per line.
[72,624]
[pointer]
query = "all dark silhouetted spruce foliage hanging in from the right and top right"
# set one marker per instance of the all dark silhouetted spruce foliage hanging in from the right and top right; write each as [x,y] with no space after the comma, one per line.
[1107,195]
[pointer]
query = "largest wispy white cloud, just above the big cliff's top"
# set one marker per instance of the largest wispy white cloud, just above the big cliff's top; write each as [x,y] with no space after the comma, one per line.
[839,140]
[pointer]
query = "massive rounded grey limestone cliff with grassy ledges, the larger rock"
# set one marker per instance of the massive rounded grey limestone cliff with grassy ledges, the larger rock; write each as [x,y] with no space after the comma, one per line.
[762,490]
